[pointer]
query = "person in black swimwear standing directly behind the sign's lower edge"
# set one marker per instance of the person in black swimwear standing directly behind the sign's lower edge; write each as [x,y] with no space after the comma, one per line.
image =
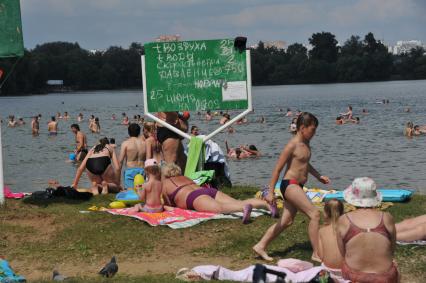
[171,145]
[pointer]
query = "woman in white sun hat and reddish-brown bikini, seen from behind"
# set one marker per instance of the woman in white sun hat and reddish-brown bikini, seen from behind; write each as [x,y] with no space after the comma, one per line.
[366,237]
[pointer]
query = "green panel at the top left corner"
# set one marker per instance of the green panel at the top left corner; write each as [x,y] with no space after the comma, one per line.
[11,42]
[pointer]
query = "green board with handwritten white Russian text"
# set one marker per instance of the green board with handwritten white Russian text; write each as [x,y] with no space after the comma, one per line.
[195,75]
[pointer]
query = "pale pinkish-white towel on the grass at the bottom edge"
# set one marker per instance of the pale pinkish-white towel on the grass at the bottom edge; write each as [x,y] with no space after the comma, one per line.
[217,272]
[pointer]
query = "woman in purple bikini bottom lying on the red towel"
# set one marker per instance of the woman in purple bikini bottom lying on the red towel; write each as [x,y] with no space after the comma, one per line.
[180,191]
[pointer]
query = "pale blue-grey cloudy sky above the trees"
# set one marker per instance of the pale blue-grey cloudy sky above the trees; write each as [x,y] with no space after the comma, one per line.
[98,24]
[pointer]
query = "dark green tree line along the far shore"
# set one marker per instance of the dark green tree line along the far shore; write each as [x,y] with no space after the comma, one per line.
[358,60]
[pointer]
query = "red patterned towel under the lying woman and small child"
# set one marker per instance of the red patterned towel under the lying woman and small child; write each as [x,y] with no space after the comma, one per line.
[180,218]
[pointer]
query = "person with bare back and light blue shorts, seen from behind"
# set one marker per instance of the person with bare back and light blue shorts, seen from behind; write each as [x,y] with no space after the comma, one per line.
[133,150]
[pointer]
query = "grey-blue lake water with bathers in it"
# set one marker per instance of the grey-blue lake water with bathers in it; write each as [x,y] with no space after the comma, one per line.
[376,147]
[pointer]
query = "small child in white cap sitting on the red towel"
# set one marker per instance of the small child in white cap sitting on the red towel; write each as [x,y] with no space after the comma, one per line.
[150,192]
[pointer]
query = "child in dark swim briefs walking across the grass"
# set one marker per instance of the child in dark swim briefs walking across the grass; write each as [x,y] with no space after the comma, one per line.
[296,155]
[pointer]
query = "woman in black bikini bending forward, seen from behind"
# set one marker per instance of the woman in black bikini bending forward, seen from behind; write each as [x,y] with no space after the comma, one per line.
[99,168]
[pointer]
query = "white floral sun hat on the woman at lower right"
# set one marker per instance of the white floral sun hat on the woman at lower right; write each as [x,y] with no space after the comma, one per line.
[363,193]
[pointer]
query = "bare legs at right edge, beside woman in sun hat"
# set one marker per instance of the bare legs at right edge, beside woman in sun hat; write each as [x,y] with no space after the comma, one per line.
[412,229]
